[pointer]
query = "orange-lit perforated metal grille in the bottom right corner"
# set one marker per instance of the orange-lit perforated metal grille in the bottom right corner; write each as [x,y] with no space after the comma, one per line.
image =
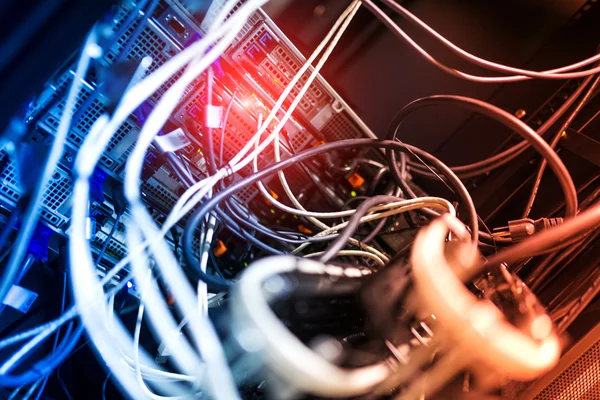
[580,381]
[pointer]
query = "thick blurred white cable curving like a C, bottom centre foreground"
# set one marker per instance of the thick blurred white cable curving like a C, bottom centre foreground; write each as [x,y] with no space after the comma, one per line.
[284,353]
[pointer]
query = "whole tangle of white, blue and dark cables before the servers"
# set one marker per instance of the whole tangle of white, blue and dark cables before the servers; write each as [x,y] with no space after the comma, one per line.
[201,360]
